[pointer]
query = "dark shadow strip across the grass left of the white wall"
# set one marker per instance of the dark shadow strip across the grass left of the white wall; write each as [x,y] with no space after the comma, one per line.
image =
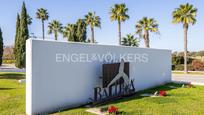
[16,76]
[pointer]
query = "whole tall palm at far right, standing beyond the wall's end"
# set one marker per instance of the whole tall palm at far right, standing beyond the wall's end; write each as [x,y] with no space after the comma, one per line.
[185,14]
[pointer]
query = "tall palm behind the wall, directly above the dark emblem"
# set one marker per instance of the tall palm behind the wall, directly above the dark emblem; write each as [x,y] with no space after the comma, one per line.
[119,13]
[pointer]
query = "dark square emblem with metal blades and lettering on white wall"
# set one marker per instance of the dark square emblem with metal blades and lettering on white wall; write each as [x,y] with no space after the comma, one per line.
[116,82]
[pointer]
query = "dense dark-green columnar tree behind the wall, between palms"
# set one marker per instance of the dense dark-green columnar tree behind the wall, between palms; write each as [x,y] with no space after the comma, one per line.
[81,30]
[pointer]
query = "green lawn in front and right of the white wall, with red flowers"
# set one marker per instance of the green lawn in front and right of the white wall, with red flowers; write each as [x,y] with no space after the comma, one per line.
[179,101]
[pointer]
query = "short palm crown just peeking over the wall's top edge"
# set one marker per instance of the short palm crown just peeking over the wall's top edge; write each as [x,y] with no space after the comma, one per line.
[130,40]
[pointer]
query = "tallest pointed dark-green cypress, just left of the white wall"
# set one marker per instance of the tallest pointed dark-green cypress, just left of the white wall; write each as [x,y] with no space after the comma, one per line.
[23,36]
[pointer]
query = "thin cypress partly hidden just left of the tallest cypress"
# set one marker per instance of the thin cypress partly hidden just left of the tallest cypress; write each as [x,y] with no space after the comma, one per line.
[16,45]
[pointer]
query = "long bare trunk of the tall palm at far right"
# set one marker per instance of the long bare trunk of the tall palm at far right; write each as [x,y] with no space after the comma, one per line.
[185,49]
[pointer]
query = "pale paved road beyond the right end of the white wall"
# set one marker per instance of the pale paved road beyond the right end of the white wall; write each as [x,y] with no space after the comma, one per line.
[189,78]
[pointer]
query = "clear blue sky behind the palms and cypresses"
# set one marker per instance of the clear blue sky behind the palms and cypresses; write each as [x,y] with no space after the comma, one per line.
[68,11]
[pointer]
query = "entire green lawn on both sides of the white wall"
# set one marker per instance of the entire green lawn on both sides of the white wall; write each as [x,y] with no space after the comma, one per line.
[178,101]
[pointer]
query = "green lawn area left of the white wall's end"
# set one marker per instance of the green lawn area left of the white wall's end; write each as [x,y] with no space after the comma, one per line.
[12,94]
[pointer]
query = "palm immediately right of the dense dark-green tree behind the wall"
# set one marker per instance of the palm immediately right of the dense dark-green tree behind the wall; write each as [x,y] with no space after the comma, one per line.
[93,21]
